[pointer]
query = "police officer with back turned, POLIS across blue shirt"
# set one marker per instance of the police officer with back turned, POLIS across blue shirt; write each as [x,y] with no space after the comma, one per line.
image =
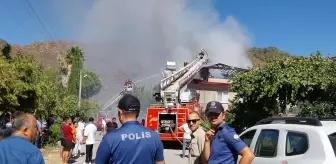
[131,143]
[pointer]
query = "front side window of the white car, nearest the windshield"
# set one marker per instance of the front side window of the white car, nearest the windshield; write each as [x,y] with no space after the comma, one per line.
[267,143]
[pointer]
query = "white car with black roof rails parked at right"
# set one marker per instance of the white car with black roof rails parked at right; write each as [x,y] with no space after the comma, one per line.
[292,140]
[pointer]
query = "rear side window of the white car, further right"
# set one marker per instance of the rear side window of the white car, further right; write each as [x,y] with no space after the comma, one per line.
[296,143]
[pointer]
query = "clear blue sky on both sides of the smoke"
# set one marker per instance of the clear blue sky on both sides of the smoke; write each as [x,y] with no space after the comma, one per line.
[299,27]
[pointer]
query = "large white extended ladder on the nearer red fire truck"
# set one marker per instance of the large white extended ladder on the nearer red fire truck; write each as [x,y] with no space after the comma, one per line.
[173,84]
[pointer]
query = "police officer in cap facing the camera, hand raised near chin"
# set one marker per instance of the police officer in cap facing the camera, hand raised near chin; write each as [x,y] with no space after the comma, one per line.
[222,144]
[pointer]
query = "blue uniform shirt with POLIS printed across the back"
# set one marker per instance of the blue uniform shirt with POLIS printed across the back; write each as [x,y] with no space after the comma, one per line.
[131,143]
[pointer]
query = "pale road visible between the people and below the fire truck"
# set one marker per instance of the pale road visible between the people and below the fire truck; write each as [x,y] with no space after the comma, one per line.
[172,156]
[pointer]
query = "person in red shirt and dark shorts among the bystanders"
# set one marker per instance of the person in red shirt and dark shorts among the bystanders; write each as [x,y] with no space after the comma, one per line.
[68,137]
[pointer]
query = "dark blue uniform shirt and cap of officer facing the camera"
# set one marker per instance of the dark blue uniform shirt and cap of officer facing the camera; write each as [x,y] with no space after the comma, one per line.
[226,144]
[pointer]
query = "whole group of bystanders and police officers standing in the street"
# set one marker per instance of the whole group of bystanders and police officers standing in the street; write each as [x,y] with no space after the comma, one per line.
[132,143]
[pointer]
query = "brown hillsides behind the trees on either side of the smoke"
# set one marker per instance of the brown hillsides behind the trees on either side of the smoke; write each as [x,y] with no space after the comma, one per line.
[48,52]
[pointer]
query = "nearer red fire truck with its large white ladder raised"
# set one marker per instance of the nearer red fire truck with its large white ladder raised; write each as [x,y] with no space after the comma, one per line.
[175,101]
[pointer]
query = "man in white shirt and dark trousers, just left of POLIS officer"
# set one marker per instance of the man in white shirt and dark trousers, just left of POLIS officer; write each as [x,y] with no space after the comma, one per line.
[89,139]
